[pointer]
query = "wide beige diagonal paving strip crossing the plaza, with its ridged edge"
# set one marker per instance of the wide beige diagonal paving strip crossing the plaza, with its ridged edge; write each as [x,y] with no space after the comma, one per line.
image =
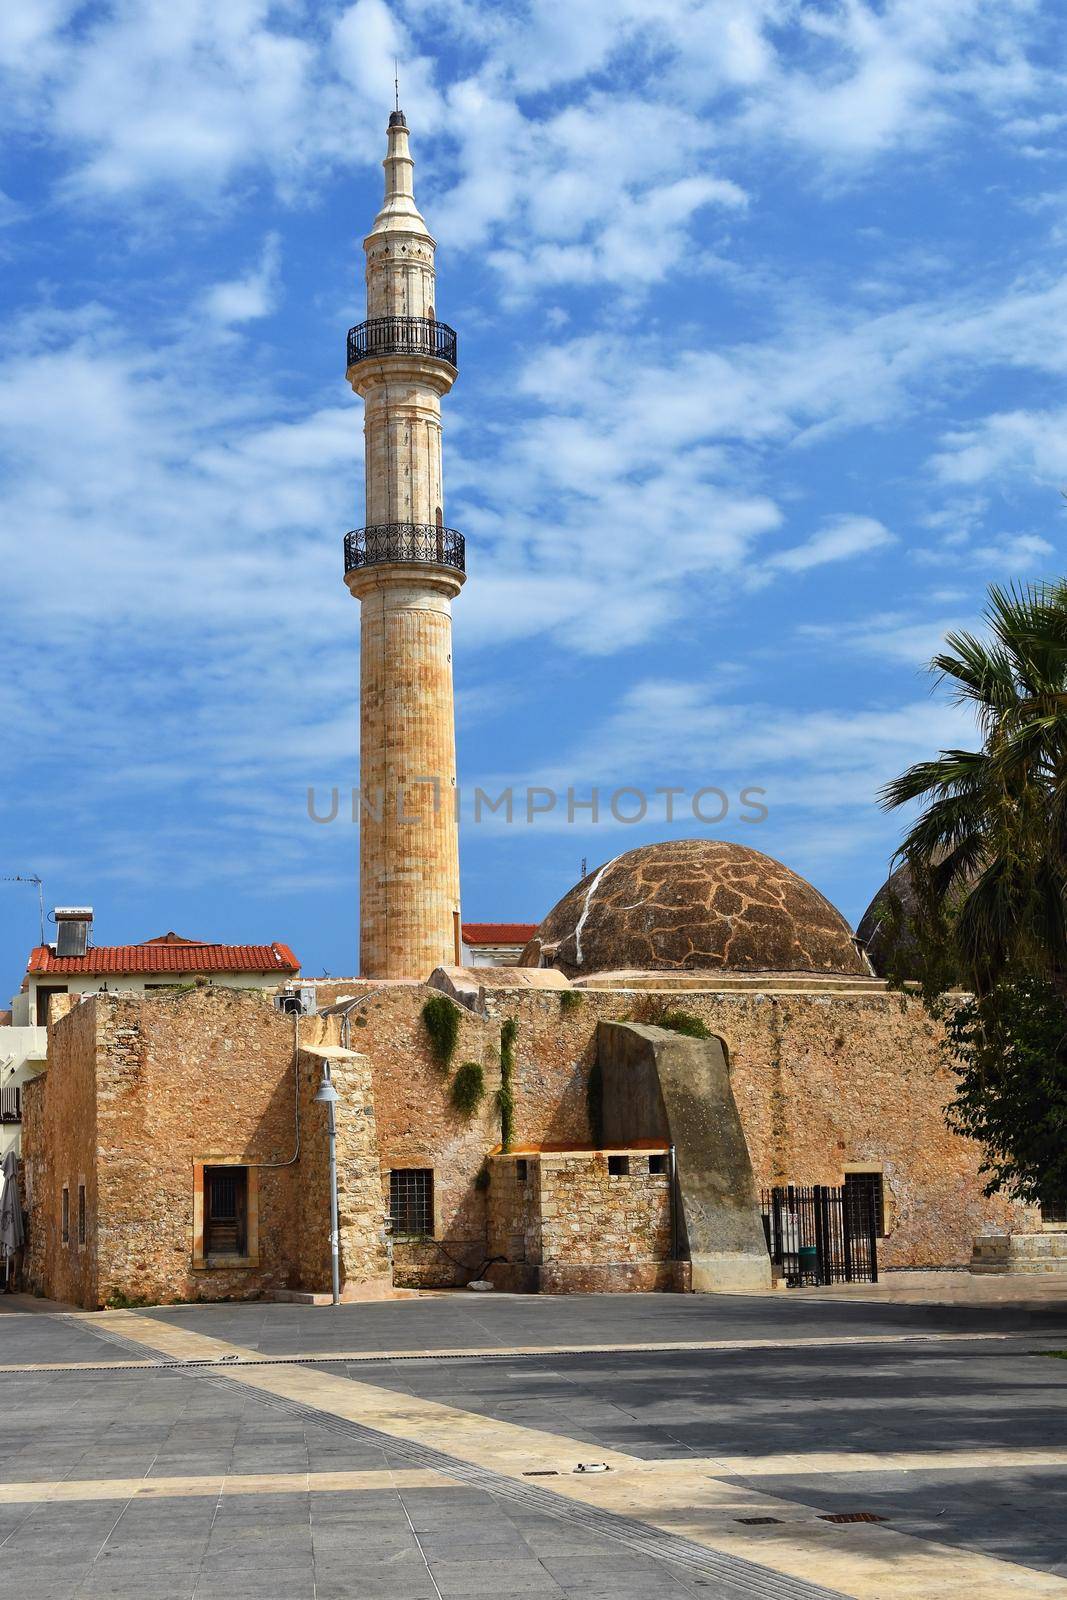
[676,1513]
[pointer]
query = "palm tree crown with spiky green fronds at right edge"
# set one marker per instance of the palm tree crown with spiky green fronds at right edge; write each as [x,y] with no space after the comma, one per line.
[993,838]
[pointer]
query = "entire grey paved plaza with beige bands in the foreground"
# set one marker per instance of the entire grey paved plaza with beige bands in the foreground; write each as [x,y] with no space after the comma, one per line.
[428,1450]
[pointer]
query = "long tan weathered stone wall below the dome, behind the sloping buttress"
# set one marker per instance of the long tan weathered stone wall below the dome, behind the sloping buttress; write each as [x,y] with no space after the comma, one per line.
[823,1081]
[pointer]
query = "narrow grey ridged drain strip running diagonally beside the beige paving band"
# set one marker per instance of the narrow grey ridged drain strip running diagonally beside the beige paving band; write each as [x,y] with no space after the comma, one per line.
[737,1578]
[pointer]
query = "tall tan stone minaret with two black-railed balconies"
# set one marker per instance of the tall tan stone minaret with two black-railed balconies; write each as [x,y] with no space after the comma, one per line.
[406,567]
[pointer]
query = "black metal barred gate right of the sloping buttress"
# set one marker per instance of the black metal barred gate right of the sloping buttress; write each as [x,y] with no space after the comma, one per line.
[823,1236]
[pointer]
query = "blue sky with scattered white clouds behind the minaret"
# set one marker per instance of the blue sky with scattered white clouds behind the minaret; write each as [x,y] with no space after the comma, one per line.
[762,316]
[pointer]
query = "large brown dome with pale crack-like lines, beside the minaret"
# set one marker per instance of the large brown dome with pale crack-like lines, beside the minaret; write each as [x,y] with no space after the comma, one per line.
[692,905]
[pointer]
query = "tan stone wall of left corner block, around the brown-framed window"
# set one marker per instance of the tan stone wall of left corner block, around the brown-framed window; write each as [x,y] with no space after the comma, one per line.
[138,1094]
